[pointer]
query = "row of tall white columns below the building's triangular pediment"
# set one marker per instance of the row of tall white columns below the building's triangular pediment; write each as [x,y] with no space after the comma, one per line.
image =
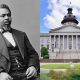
[65,42]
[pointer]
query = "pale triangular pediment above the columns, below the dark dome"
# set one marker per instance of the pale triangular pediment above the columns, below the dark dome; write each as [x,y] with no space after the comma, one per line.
[67,29]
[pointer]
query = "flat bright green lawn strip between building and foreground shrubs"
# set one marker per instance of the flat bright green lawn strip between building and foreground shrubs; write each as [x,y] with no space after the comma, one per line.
[59,66]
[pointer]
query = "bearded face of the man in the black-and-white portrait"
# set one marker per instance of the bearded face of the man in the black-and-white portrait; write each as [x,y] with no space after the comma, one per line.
[5,17]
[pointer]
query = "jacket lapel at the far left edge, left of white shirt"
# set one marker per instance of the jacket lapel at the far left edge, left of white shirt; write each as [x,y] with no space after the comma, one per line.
[3,47]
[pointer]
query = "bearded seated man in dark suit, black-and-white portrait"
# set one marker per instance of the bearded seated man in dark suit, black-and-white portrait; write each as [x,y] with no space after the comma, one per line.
[18,59]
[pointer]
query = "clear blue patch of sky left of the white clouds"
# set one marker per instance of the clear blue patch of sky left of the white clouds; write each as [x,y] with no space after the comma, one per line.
[43,12]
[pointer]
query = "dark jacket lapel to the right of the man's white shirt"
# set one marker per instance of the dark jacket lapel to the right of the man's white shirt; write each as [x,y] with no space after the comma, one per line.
[19,39]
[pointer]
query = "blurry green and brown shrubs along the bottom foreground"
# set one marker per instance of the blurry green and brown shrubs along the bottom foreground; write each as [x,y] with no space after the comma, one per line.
[68,75]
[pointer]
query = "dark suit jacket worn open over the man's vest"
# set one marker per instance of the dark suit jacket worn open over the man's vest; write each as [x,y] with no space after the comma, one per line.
[27,51]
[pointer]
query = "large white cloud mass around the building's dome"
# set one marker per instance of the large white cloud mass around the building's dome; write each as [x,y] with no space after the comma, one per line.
[58,10]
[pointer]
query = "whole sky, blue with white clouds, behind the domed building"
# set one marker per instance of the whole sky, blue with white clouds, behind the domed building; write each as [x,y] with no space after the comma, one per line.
[53,11]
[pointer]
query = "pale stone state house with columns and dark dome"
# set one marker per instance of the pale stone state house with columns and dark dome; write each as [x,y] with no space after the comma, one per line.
[63,42]
